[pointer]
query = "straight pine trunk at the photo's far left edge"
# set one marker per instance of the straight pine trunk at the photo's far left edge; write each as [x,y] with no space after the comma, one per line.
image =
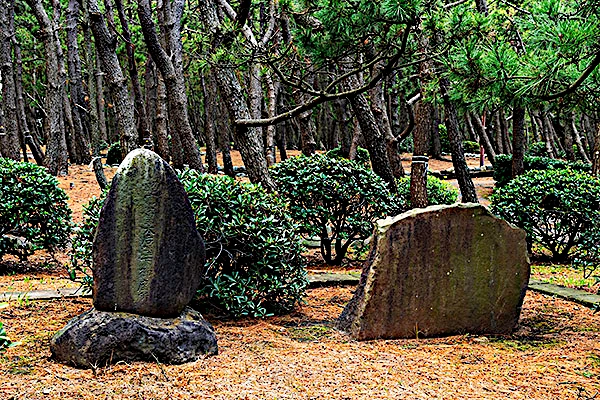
[9,139]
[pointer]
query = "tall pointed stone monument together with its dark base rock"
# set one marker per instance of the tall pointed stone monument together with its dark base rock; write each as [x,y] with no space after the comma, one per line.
[148,263]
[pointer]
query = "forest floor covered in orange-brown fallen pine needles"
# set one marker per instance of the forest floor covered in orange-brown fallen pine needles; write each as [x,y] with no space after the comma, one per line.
[554,353]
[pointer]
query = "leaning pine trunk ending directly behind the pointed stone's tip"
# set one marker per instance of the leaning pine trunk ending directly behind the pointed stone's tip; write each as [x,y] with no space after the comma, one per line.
[106,47]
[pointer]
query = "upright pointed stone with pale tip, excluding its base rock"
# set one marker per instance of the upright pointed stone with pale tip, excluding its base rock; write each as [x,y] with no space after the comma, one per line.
[148,256]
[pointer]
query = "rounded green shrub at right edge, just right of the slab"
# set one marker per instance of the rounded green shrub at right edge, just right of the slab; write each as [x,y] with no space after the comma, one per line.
[555,207]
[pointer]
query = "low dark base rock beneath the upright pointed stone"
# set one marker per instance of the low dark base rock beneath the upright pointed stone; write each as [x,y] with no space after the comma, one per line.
[97,338]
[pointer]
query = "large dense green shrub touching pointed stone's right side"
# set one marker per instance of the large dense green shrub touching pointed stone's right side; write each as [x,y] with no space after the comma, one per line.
[255,265]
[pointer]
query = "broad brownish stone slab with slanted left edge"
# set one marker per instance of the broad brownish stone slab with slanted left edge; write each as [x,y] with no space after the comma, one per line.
[438,271]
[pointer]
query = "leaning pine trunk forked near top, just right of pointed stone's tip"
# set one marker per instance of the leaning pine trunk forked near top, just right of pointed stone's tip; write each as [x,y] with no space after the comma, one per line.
[170,66]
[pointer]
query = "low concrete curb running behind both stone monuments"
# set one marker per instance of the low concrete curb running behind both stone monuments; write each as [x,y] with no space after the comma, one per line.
[319,280]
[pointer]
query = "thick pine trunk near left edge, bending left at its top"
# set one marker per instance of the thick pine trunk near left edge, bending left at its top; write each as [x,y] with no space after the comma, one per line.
[56,152]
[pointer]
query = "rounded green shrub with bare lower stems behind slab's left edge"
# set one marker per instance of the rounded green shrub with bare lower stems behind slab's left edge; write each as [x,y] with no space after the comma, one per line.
[334,199]
